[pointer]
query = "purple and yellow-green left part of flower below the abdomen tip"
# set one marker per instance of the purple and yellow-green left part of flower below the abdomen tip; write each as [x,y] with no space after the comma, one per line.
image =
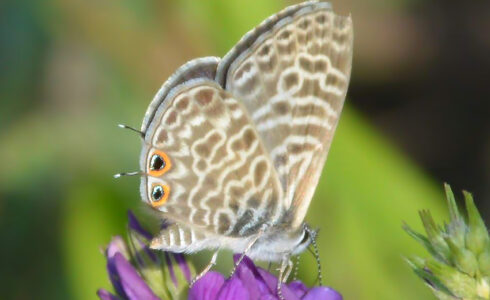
[137,272]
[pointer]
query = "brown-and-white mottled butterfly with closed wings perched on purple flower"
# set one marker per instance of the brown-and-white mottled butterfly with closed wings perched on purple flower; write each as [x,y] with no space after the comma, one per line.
[234,147]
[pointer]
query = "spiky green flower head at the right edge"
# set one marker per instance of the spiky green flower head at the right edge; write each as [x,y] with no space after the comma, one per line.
[460,264]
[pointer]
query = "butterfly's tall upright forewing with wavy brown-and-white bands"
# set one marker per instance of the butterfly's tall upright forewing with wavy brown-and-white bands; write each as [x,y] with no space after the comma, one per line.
[293,81]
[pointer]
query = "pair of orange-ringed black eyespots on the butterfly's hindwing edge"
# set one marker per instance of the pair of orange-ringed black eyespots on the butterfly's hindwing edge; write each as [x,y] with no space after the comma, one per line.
[154,190]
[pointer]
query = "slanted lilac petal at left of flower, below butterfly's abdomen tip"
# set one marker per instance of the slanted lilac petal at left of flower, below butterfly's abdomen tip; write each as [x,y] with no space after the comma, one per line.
[135,288]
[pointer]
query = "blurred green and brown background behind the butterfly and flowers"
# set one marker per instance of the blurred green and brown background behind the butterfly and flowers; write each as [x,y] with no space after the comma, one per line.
[70,70]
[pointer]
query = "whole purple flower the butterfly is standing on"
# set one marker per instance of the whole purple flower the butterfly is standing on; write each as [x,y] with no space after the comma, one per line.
[137,272]
